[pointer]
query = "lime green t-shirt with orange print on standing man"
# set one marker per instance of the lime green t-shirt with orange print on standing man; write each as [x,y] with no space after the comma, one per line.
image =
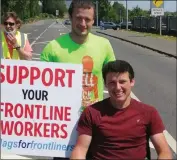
[93,54]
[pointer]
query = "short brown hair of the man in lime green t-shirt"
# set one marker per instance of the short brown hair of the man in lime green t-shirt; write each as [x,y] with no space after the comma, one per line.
[81,4]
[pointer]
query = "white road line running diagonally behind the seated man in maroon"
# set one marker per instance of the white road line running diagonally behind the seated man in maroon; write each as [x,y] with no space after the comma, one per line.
[171,141]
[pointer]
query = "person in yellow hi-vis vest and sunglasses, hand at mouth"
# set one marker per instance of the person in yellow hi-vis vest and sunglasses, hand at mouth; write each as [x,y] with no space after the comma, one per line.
[14,44]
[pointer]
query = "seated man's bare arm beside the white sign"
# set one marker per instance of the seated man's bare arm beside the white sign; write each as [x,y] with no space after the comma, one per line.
[81,147]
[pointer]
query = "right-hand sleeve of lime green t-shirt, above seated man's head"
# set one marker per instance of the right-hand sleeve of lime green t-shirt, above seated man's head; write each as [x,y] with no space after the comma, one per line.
[109,53]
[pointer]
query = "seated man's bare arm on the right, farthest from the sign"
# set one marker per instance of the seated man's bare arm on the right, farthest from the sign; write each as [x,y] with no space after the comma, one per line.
[161,146]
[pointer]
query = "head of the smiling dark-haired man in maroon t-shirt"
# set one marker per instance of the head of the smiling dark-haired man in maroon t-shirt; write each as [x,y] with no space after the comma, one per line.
[118,77]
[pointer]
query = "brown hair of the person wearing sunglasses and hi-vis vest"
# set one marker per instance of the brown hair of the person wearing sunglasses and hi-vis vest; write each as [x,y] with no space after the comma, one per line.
[13,15]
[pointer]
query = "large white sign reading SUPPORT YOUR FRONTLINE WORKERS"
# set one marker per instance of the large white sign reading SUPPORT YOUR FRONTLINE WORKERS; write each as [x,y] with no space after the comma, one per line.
[40,107]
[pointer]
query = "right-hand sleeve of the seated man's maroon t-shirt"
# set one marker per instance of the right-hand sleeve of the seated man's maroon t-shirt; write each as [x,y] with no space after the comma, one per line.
[156,124]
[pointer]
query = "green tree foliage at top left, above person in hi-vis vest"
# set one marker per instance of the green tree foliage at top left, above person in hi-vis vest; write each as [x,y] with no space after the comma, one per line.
[30,8]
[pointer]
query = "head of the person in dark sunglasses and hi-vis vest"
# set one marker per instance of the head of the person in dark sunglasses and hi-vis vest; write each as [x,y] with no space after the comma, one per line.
[11,22]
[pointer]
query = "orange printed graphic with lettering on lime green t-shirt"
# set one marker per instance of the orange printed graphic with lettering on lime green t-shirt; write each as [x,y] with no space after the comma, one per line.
[90,82]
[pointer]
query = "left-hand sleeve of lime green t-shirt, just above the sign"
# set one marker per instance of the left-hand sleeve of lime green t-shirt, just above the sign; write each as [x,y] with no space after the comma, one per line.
[47,53]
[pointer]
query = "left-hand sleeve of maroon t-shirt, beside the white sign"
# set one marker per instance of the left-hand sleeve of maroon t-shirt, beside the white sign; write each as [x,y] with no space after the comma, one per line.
[85,123]
